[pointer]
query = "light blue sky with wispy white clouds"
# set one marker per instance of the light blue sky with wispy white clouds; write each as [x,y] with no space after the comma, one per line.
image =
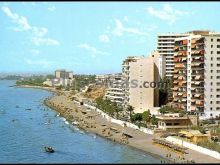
[91,37]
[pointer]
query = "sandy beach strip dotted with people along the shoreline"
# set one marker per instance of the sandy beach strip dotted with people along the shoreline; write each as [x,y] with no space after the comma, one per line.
[91,121]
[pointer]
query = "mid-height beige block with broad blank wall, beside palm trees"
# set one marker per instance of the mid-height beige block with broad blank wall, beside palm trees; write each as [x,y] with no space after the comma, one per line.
[141,69]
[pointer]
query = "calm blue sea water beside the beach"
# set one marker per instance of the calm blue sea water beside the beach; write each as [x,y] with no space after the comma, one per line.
[24,132]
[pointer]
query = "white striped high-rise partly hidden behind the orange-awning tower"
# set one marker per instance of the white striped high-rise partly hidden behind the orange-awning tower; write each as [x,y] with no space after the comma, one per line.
[165,47]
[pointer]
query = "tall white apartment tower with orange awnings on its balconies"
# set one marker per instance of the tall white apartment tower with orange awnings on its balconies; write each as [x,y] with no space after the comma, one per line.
[197,73]
